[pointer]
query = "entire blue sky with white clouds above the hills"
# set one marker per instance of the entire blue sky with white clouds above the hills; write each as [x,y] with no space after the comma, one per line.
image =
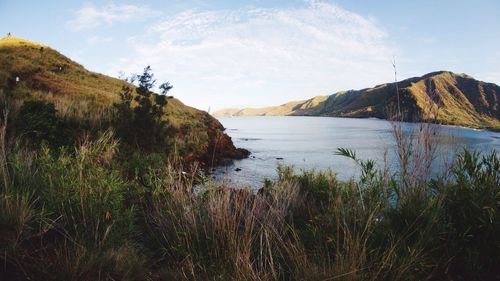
[226,54]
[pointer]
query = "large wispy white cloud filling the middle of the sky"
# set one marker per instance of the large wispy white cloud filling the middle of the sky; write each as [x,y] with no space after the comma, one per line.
[254,57]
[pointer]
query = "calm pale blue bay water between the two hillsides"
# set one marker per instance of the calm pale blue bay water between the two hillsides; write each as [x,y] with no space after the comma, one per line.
[311,142]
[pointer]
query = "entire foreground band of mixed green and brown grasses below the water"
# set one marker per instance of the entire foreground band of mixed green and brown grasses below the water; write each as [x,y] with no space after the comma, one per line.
[80,214]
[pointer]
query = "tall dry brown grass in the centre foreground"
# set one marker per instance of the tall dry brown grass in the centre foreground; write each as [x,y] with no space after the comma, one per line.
[226,233]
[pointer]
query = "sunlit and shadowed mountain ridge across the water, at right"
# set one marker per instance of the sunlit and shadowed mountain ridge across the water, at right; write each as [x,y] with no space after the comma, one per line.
[443,96]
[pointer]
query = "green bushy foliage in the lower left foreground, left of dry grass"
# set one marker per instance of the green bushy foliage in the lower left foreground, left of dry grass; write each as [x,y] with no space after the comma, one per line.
[67,217]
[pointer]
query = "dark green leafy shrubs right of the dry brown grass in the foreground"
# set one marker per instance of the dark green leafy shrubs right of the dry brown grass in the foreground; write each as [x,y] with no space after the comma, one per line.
[400,235]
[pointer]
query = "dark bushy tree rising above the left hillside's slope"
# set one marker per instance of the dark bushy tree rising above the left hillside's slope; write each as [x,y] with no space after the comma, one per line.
[140,124]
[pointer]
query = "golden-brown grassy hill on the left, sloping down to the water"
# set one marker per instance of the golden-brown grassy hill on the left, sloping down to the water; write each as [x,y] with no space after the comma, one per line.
[31,70]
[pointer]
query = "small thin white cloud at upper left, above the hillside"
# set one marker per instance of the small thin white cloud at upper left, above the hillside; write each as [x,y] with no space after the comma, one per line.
[91,16]
